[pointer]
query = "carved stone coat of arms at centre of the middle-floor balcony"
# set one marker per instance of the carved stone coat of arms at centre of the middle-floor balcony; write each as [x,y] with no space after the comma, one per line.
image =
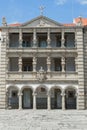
[41,75]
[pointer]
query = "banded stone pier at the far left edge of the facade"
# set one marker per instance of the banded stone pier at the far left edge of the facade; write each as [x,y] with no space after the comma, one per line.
[3,71]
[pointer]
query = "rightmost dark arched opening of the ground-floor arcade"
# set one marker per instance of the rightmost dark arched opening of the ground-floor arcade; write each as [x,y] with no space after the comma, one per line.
[70,98]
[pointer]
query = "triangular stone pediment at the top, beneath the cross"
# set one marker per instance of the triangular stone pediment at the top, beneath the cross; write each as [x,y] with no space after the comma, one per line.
[41,21]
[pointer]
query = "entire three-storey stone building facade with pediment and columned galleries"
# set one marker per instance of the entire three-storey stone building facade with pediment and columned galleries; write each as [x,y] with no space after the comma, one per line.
[43,65]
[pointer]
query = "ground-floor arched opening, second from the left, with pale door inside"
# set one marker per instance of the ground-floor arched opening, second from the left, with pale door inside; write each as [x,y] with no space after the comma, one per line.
[27,98]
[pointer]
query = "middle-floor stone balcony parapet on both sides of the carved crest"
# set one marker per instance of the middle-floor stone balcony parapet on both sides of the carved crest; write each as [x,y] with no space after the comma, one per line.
[50,76]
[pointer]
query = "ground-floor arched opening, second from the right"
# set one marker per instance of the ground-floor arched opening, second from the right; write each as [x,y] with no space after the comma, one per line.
[56,98]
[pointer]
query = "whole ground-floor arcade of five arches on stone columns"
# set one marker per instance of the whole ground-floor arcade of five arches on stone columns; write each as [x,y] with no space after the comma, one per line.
[41,97]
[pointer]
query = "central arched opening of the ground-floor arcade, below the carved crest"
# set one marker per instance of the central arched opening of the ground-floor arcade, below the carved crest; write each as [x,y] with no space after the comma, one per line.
[41,98]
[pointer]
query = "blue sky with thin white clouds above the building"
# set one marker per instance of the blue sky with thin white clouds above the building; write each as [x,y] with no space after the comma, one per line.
[62,11]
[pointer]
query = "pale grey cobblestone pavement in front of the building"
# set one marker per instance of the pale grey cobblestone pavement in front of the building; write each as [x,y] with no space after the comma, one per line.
[43,120]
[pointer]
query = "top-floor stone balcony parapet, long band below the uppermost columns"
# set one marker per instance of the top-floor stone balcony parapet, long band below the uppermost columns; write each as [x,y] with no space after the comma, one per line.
[41,50]
